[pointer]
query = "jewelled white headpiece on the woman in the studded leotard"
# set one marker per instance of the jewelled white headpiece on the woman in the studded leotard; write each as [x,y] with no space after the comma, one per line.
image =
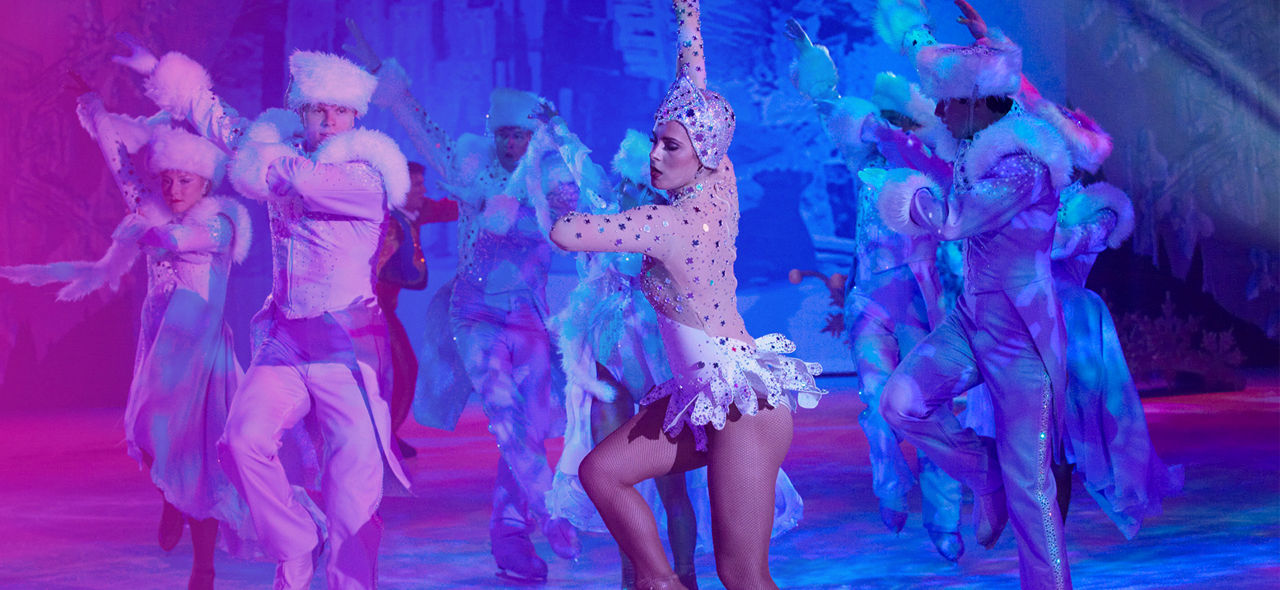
[706,116]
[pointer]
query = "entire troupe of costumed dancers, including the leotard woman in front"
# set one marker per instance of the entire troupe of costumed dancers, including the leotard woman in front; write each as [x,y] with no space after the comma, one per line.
[286,460]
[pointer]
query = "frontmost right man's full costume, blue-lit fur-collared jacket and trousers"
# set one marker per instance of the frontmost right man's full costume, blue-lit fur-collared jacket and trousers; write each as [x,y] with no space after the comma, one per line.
[1007,331]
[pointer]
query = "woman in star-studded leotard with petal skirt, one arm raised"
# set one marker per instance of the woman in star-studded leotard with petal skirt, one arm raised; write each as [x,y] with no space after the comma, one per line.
[721,373]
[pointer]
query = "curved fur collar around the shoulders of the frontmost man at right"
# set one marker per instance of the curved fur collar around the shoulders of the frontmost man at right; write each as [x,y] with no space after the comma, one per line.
[1021,135]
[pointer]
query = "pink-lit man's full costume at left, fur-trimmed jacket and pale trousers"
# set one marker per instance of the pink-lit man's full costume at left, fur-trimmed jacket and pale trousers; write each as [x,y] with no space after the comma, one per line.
[321,341]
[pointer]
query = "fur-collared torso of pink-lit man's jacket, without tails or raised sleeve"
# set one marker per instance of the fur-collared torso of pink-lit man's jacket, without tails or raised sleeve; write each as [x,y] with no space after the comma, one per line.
[327,208]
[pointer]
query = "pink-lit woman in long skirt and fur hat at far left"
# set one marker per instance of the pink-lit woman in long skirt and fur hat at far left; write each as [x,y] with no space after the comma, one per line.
[186,372]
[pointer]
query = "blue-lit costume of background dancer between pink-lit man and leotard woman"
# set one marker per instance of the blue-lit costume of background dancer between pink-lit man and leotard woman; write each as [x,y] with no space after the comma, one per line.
[497,304]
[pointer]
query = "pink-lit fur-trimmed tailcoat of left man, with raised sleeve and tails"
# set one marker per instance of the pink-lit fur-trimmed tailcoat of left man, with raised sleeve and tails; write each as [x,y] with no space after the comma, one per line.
[327,216]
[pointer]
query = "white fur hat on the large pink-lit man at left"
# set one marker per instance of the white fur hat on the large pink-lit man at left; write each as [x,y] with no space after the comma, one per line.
[327,79]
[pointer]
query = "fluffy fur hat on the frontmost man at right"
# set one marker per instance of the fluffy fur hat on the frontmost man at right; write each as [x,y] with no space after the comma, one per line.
[993,67]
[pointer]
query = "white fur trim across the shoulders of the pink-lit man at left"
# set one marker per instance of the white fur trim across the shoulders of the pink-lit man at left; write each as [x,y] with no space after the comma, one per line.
[277,132]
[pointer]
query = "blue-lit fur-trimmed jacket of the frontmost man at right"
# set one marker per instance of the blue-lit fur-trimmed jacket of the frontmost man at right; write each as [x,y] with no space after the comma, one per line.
[1004,203]
